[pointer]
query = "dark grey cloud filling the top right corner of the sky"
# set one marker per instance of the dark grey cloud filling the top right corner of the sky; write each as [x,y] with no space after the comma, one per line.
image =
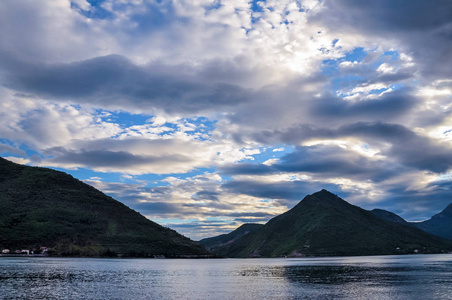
[423,27]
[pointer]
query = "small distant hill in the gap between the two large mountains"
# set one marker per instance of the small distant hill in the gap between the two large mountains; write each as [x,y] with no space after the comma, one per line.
[218,243]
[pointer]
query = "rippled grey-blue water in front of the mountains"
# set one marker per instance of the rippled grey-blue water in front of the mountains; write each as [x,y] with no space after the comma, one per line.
[375,277]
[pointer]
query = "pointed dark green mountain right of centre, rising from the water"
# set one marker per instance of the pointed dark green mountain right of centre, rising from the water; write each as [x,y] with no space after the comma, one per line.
[322,224]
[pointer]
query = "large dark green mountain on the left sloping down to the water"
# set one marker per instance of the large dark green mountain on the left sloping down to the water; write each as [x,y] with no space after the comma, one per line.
[42,207]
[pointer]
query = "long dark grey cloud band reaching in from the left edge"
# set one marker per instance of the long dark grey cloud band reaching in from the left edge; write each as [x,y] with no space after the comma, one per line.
[114,81]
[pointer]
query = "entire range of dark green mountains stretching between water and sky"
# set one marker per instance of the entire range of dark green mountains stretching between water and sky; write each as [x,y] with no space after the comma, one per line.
[44,207]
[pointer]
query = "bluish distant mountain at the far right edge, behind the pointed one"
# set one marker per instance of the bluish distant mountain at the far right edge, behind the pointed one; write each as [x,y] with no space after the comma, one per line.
[440,224]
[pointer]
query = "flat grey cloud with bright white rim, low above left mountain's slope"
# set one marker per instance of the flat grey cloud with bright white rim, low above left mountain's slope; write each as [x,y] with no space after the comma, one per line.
[134,155]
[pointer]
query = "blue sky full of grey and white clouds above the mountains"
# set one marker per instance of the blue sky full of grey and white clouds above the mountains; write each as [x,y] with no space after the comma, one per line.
[203,115]
